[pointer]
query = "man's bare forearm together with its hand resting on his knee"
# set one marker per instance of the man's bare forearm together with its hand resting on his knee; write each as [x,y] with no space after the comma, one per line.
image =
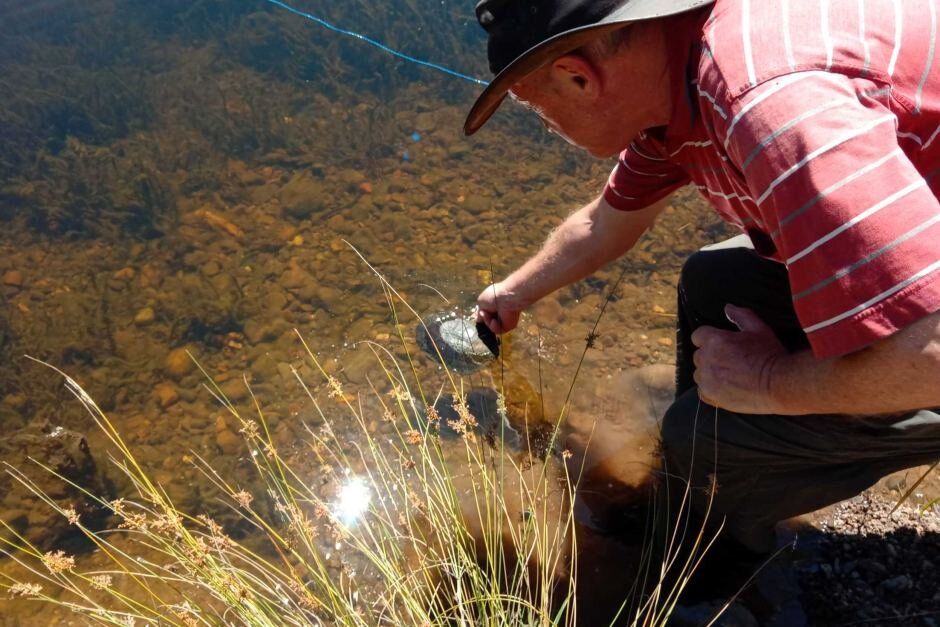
[749,372]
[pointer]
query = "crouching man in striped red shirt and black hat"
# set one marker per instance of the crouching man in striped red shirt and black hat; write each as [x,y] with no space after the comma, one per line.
[806,359]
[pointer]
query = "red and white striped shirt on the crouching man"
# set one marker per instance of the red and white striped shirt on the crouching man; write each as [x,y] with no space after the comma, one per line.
[814,126]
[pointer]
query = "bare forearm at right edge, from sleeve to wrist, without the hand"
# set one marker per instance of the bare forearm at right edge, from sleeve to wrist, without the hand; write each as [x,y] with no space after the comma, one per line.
[899,373]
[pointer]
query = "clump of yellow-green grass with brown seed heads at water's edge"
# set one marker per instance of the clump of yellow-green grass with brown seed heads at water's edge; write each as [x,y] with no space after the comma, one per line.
[393,525]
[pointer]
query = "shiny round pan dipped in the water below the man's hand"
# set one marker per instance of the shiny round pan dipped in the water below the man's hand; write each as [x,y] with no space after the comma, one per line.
[464,346]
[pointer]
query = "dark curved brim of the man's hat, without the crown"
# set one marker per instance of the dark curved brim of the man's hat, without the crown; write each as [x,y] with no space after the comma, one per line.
[552,48]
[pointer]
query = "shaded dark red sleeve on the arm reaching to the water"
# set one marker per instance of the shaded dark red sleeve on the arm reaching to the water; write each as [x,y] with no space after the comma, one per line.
[642,176]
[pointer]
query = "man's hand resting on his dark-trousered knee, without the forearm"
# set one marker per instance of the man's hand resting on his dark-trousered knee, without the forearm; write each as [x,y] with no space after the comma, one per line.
[733,369]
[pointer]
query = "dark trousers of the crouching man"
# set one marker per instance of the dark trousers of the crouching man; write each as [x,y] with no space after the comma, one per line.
[766,468]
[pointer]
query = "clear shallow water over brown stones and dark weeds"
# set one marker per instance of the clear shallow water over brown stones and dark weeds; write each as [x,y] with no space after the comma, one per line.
[183,178]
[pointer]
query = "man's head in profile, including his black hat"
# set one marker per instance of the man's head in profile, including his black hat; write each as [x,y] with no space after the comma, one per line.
[579,63]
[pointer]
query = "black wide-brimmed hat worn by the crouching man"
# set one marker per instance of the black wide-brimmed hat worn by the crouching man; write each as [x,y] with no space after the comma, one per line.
[524,35]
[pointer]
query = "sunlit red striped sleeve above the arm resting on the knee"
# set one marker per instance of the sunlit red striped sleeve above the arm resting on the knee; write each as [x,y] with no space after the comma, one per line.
[846,209]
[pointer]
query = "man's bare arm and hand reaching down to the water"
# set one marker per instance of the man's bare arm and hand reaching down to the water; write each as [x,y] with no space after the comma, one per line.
[589,238]
